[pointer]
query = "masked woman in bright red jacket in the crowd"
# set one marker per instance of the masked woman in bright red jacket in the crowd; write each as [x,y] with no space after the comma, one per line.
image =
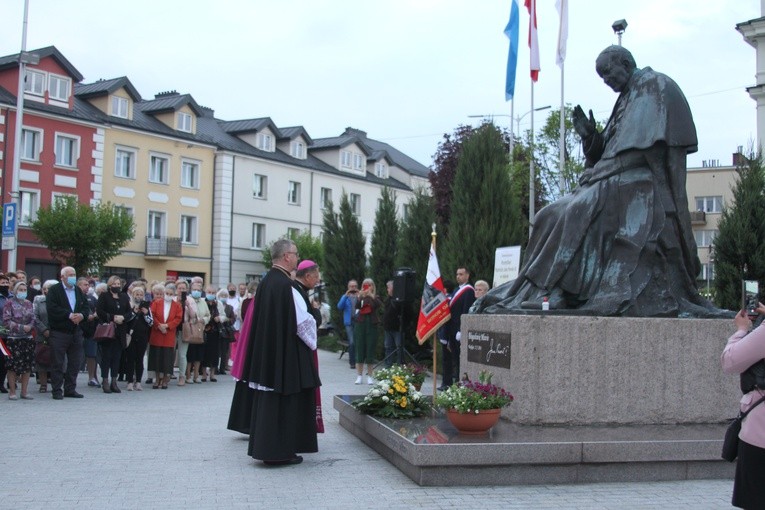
[167,314]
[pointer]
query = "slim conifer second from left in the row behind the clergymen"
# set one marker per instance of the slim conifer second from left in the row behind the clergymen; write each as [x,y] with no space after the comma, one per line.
[382,257]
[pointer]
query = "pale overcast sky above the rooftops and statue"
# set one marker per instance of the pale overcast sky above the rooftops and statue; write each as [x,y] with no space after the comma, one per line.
[405,71]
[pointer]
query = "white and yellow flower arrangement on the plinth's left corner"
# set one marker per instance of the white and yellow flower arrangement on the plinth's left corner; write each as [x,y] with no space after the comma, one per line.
[393,395]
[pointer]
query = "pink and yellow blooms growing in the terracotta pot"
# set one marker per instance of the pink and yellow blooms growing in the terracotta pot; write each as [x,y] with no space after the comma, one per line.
[473,397]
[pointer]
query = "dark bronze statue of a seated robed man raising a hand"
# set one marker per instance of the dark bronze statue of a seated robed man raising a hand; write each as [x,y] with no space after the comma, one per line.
[621,243]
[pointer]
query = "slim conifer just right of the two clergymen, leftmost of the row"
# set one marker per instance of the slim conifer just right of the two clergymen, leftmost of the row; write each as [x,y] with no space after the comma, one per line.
[344,252]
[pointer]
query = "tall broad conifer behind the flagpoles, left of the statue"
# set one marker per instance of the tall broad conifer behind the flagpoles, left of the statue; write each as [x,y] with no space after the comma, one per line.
[484,212]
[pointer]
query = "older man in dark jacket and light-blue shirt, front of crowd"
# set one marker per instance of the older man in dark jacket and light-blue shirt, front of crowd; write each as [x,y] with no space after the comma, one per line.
[67,307]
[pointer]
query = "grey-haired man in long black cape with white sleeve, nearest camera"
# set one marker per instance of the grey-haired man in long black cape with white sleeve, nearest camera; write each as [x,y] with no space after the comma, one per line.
[279,366]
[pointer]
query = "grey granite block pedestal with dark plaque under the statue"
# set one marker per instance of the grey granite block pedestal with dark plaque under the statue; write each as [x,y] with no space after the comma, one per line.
[567,370]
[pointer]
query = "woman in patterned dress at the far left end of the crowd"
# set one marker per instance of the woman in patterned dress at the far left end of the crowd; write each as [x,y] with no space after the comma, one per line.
[19,320]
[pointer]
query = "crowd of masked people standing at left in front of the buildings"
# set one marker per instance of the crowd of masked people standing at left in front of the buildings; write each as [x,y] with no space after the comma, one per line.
[115,330]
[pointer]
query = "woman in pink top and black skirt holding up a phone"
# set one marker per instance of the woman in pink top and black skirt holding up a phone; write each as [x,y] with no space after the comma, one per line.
[743,350]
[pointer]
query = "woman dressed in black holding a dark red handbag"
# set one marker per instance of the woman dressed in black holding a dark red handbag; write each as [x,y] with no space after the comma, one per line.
[113,306]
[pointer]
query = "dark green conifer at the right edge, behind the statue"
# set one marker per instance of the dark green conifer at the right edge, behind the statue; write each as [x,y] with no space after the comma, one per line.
[739,246]
